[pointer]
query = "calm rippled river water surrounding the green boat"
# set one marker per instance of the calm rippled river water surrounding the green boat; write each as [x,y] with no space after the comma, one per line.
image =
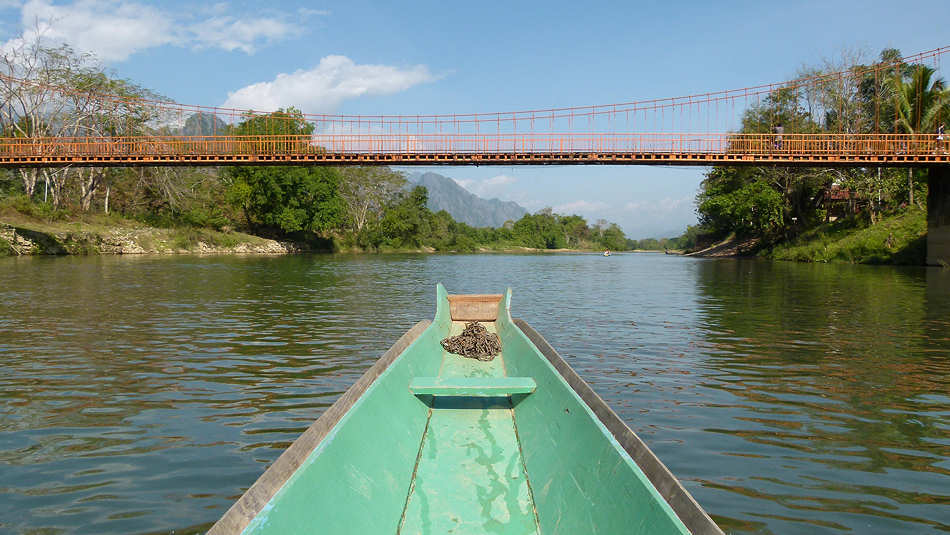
[143,395]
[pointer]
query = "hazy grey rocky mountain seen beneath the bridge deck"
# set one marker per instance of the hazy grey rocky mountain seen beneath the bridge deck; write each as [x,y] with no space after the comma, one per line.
[446,194]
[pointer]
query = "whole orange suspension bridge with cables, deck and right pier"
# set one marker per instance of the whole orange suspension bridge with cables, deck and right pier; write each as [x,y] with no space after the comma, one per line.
[98,129]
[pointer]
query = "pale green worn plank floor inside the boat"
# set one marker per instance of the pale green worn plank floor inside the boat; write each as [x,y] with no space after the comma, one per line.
[470,476]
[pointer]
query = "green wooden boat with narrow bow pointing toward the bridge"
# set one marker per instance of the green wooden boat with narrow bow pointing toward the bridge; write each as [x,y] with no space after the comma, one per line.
[430,442]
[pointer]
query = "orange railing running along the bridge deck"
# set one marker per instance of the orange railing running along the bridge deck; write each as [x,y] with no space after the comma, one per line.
[535,148]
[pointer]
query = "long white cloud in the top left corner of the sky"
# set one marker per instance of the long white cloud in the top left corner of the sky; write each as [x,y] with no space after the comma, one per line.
[115,29]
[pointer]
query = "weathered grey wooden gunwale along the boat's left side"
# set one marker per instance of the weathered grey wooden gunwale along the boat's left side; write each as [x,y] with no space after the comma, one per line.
[253,501]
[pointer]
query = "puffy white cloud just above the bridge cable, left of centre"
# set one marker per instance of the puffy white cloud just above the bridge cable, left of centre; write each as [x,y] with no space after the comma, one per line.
[324,87]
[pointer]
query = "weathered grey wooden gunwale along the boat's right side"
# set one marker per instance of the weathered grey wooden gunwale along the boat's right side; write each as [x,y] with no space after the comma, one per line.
[693,516]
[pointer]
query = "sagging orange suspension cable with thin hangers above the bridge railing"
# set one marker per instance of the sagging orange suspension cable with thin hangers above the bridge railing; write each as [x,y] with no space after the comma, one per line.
[690,113]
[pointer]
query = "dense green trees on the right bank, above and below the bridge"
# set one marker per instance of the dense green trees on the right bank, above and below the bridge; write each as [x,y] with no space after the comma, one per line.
[776,204]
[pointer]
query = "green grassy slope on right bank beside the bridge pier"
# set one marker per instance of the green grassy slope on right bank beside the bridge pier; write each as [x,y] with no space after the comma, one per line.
[897,239]
